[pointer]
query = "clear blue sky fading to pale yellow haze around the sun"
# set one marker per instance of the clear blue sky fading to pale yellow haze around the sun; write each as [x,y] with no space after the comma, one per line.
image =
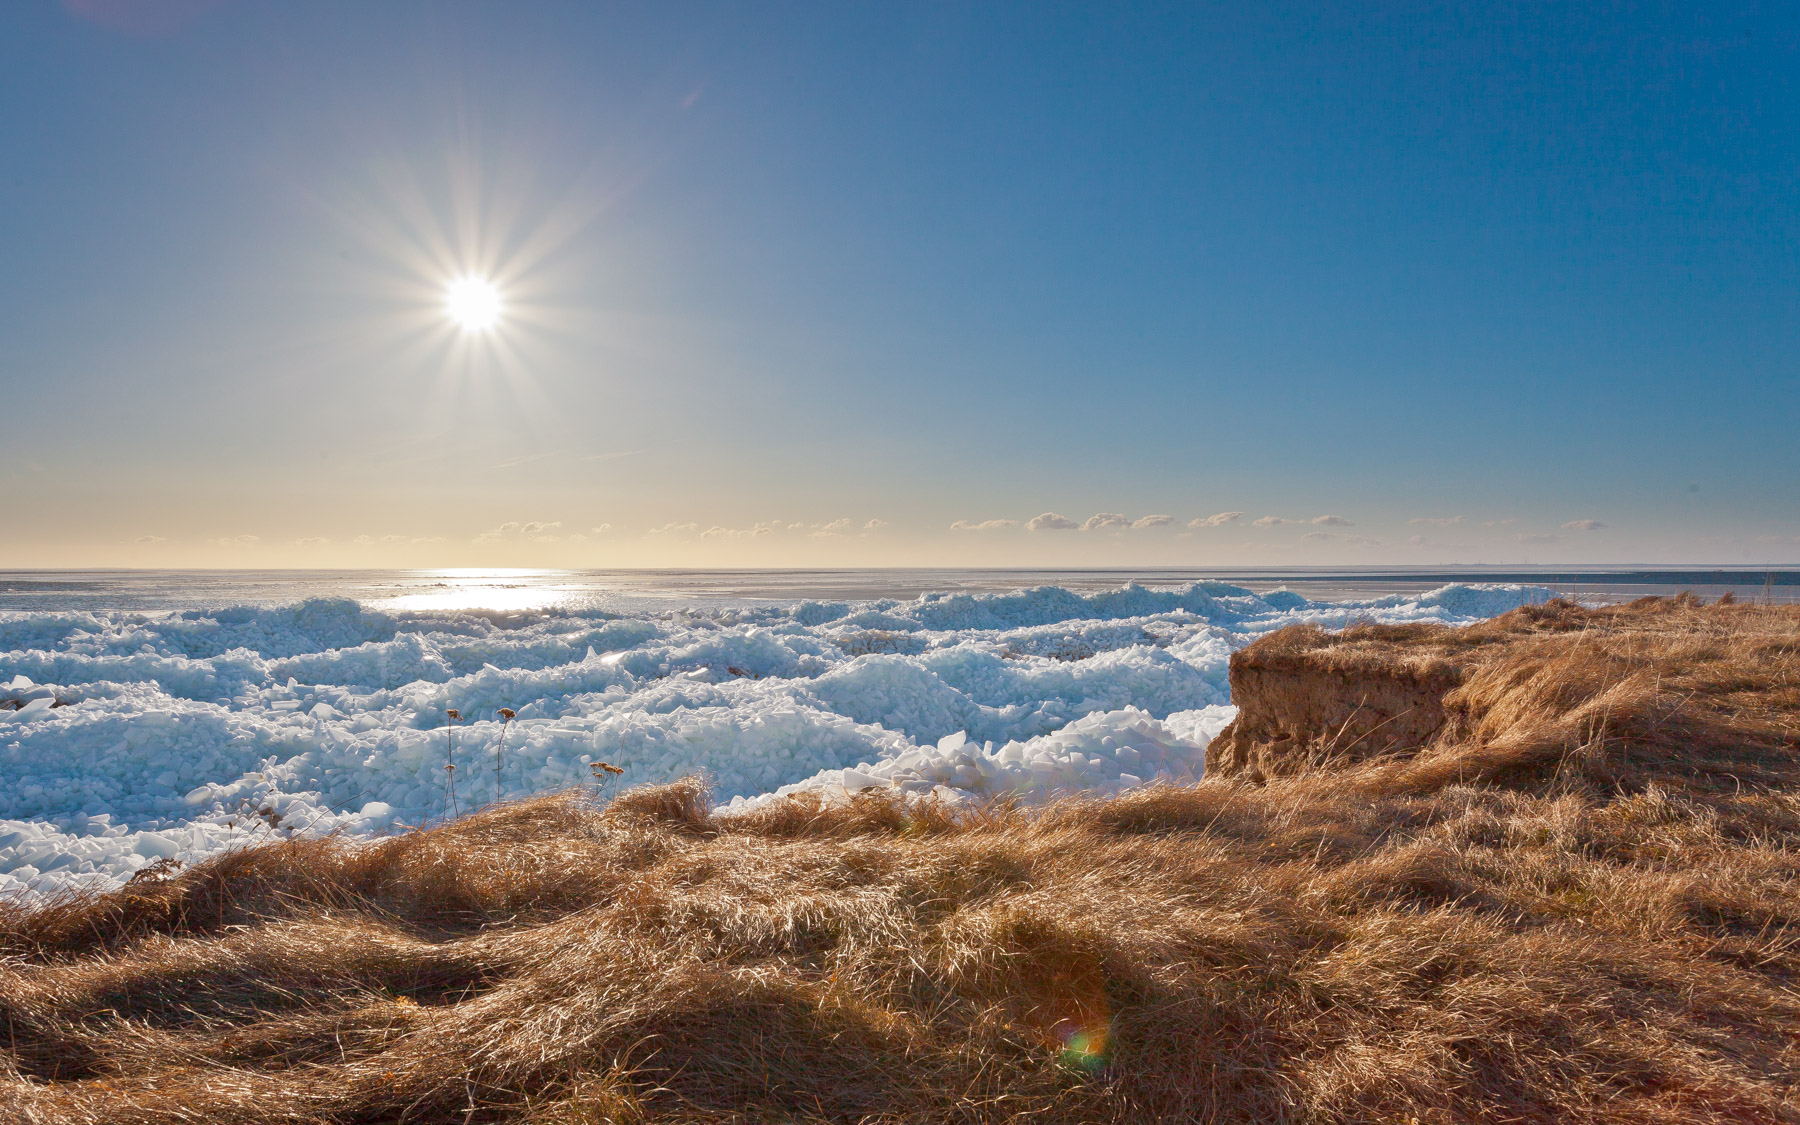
[899,283]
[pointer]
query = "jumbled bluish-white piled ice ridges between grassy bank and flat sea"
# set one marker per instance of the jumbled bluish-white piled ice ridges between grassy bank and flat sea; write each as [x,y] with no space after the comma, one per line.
[127,739]
